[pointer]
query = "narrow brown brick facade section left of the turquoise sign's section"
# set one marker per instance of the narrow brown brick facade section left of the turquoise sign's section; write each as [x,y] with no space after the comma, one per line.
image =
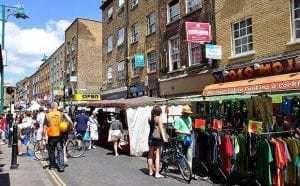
[115,62]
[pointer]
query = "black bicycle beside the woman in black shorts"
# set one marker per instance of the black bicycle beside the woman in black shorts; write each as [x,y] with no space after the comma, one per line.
[172,156]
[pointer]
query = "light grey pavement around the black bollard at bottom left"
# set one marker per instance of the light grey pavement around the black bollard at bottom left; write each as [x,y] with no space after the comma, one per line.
[29,172]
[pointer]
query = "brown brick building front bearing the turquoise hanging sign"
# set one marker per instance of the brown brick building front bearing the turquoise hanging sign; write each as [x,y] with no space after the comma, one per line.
[131,50]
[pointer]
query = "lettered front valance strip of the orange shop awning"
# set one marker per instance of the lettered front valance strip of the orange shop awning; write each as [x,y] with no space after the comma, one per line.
[286,85]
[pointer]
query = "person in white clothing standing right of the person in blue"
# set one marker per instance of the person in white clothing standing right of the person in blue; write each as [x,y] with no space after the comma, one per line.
[93,127]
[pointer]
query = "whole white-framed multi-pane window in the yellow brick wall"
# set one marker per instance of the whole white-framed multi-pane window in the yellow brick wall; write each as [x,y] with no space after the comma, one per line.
[242,36]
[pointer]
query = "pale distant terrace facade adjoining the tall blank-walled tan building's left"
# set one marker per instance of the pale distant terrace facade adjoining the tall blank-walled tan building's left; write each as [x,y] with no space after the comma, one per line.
[57,65]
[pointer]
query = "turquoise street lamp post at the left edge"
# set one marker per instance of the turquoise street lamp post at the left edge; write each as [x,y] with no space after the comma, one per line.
[19,13]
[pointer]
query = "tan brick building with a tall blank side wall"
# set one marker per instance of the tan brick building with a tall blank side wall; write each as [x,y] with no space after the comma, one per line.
[83,57]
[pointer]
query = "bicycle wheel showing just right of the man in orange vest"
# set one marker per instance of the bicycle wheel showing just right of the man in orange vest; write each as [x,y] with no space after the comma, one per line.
[75,146]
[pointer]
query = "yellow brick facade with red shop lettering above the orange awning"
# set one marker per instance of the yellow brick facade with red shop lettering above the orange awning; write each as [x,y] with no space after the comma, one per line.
[258,38]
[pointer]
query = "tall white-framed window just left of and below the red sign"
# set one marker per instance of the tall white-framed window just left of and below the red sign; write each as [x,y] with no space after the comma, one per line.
[174,46]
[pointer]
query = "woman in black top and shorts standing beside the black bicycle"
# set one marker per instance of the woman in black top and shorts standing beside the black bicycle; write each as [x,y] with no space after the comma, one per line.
[156,138]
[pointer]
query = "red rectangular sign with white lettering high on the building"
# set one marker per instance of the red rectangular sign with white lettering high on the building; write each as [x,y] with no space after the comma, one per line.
[198,32]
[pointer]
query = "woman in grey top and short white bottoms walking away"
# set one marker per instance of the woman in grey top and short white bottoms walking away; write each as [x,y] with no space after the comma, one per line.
[116,132]
